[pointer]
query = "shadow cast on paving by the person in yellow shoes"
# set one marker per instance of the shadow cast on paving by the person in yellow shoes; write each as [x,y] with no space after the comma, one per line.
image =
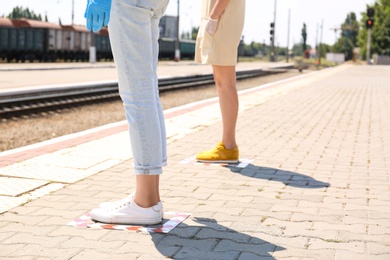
[288,178]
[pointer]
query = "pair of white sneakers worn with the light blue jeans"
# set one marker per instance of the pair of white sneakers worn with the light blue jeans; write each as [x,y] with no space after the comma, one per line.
[129,213]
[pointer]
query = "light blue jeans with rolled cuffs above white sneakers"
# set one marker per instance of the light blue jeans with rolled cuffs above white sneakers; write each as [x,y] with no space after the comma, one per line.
[134,32]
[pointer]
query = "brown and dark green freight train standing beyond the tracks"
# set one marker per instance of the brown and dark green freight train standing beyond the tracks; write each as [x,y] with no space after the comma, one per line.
[24,39]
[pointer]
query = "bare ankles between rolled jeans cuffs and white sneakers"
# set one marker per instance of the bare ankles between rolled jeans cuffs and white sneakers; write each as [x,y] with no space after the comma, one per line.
[147,190]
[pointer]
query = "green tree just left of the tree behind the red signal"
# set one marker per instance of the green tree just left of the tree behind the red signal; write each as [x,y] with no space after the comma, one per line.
[348,40]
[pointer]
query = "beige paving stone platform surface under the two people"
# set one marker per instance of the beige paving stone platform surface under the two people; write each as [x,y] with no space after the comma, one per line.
[317,188]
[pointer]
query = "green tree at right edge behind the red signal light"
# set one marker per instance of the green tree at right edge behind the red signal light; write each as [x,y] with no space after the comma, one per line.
[380,32]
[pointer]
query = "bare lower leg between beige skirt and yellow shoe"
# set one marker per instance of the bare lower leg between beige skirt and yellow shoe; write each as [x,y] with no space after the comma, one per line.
[225,80]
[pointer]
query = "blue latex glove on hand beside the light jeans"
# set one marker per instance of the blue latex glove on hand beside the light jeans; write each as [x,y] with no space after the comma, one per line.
[97,14]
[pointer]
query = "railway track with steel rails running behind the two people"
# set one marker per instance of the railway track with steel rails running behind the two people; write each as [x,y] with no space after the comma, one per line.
[18,103]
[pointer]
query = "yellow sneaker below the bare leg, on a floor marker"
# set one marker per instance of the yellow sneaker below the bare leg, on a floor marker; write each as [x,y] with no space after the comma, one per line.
[219,155]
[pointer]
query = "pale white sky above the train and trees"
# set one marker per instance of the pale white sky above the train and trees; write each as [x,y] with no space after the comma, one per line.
[259,15]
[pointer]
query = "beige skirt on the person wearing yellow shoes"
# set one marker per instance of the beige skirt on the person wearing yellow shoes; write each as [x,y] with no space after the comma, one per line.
[221,48]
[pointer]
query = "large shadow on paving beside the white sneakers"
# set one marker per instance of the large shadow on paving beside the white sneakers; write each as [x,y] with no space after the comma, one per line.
[209,240]
